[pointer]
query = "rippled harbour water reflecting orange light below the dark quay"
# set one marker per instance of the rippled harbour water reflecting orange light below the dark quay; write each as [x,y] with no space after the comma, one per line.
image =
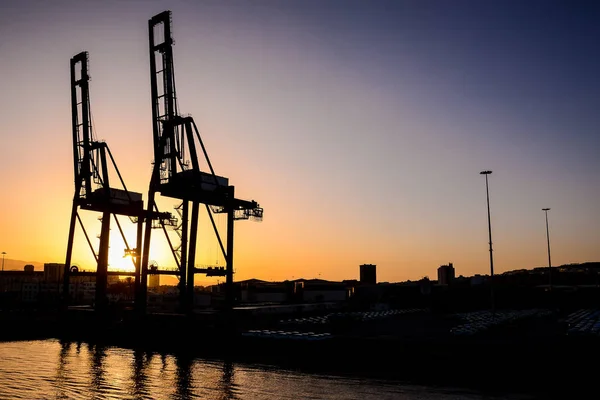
[49,369]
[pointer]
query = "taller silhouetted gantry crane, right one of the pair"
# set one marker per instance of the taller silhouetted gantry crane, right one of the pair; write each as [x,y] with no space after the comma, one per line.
[176,172]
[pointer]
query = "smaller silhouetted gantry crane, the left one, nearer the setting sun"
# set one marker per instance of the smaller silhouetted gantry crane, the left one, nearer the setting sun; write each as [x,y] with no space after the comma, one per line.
[93,191]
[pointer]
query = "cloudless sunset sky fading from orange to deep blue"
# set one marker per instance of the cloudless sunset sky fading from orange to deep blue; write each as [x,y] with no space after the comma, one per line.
[360,126]
